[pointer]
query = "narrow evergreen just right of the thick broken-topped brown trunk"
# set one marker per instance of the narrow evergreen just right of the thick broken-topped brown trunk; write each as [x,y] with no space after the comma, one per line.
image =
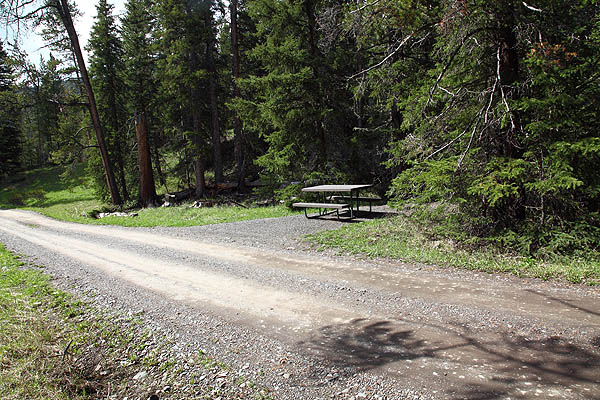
[185,110]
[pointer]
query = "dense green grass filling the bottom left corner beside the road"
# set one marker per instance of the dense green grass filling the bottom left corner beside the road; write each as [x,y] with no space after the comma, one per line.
[37,337]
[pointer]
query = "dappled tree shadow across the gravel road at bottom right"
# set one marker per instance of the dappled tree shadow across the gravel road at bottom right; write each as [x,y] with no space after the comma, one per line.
[505,361]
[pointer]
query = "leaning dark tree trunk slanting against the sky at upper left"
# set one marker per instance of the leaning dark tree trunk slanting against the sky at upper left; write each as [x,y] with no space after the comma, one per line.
[65,15]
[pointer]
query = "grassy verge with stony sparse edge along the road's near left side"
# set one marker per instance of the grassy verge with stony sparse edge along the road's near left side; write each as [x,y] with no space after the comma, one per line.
[54,347]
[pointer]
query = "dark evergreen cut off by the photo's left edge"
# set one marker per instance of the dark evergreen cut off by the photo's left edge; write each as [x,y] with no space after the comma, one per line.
[10,141]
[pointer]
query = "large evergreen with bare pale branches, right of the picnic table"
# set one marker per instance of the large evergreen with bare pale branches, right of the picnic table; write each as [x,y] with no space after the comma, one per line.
[502,122]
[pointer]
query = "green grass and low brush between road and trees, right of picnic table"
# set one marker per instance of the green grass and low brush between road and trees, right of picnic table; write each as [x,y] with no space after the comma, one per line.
[410,238]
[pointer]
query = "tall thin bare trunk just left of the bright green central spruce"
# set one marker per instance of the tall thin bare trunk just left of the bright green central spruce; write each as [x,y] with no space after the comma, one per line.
[237,126]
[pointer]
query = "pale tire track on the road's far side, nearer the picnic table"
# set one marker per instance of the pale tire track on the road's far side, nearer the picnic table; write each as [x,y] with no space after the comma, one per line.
[530,303]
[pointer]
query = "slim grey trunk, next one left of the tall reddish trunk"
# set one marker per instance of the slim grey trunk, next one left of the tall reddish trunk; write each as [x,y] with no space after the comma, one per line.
[214,107]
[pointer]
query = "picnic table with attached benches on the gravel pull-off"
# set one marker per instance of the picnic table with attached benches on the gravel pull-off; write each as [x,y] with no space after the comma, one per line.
[352,190]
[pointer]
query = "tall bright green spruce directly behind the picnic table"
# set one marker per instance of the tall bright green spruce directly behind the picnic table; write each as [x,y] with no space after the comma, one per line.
[300,102]
